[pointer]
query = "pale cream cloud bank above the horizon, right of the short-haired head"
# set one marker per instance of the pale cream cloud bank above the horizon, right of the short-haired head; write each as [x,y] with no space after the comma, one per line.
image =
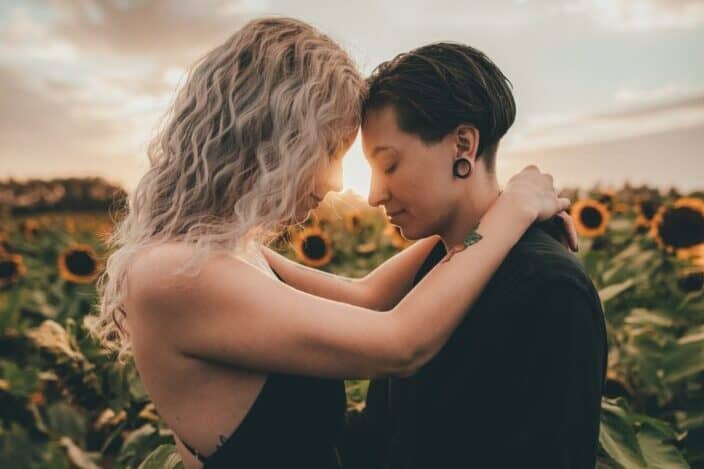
[657,141]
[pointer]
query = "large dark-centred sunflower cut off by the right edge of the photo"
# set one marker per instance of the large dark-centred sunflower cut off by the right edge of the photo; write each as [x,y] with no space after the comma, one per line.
[679,228]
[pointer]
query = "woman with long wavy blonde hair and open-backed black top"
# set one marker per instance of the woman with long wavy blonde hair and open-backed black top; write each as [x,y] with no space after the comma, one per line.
[246,370]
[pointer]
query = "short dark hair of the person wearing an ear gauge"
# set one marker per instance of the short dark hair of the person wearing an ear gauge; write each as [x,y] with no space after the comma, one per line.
[437,87]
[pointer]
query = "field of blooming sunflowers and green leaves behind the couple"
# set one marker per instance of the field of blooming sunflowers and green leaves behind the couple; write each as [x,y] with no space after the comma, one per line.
[64,404]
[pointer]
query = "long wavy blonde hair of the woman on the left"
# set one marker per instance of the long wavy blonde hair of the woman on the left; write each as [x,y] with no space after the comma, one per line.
[236,154]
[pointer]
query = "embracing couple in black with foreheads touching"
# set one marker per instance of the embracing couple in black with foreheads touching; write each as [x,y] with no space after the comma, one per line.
[484,340]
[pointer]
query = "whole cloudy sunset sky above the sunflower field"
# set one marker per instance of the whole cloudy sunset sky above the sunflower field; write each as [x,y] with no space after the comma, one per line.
[607,90]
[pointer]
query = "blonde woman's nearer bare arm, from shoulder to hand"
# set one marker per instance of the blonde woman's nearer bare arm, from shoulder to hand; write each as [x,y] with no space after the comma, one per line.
[235,314]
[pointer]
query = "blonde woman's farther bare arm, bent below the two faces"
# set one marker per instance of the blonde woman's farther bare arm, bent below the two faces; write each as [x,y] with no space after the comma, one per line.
[380,289]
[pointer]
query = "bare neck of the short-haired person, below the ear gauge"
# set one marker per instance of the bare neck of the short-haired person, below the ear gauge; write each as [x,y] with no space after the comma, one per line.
[473,204]
